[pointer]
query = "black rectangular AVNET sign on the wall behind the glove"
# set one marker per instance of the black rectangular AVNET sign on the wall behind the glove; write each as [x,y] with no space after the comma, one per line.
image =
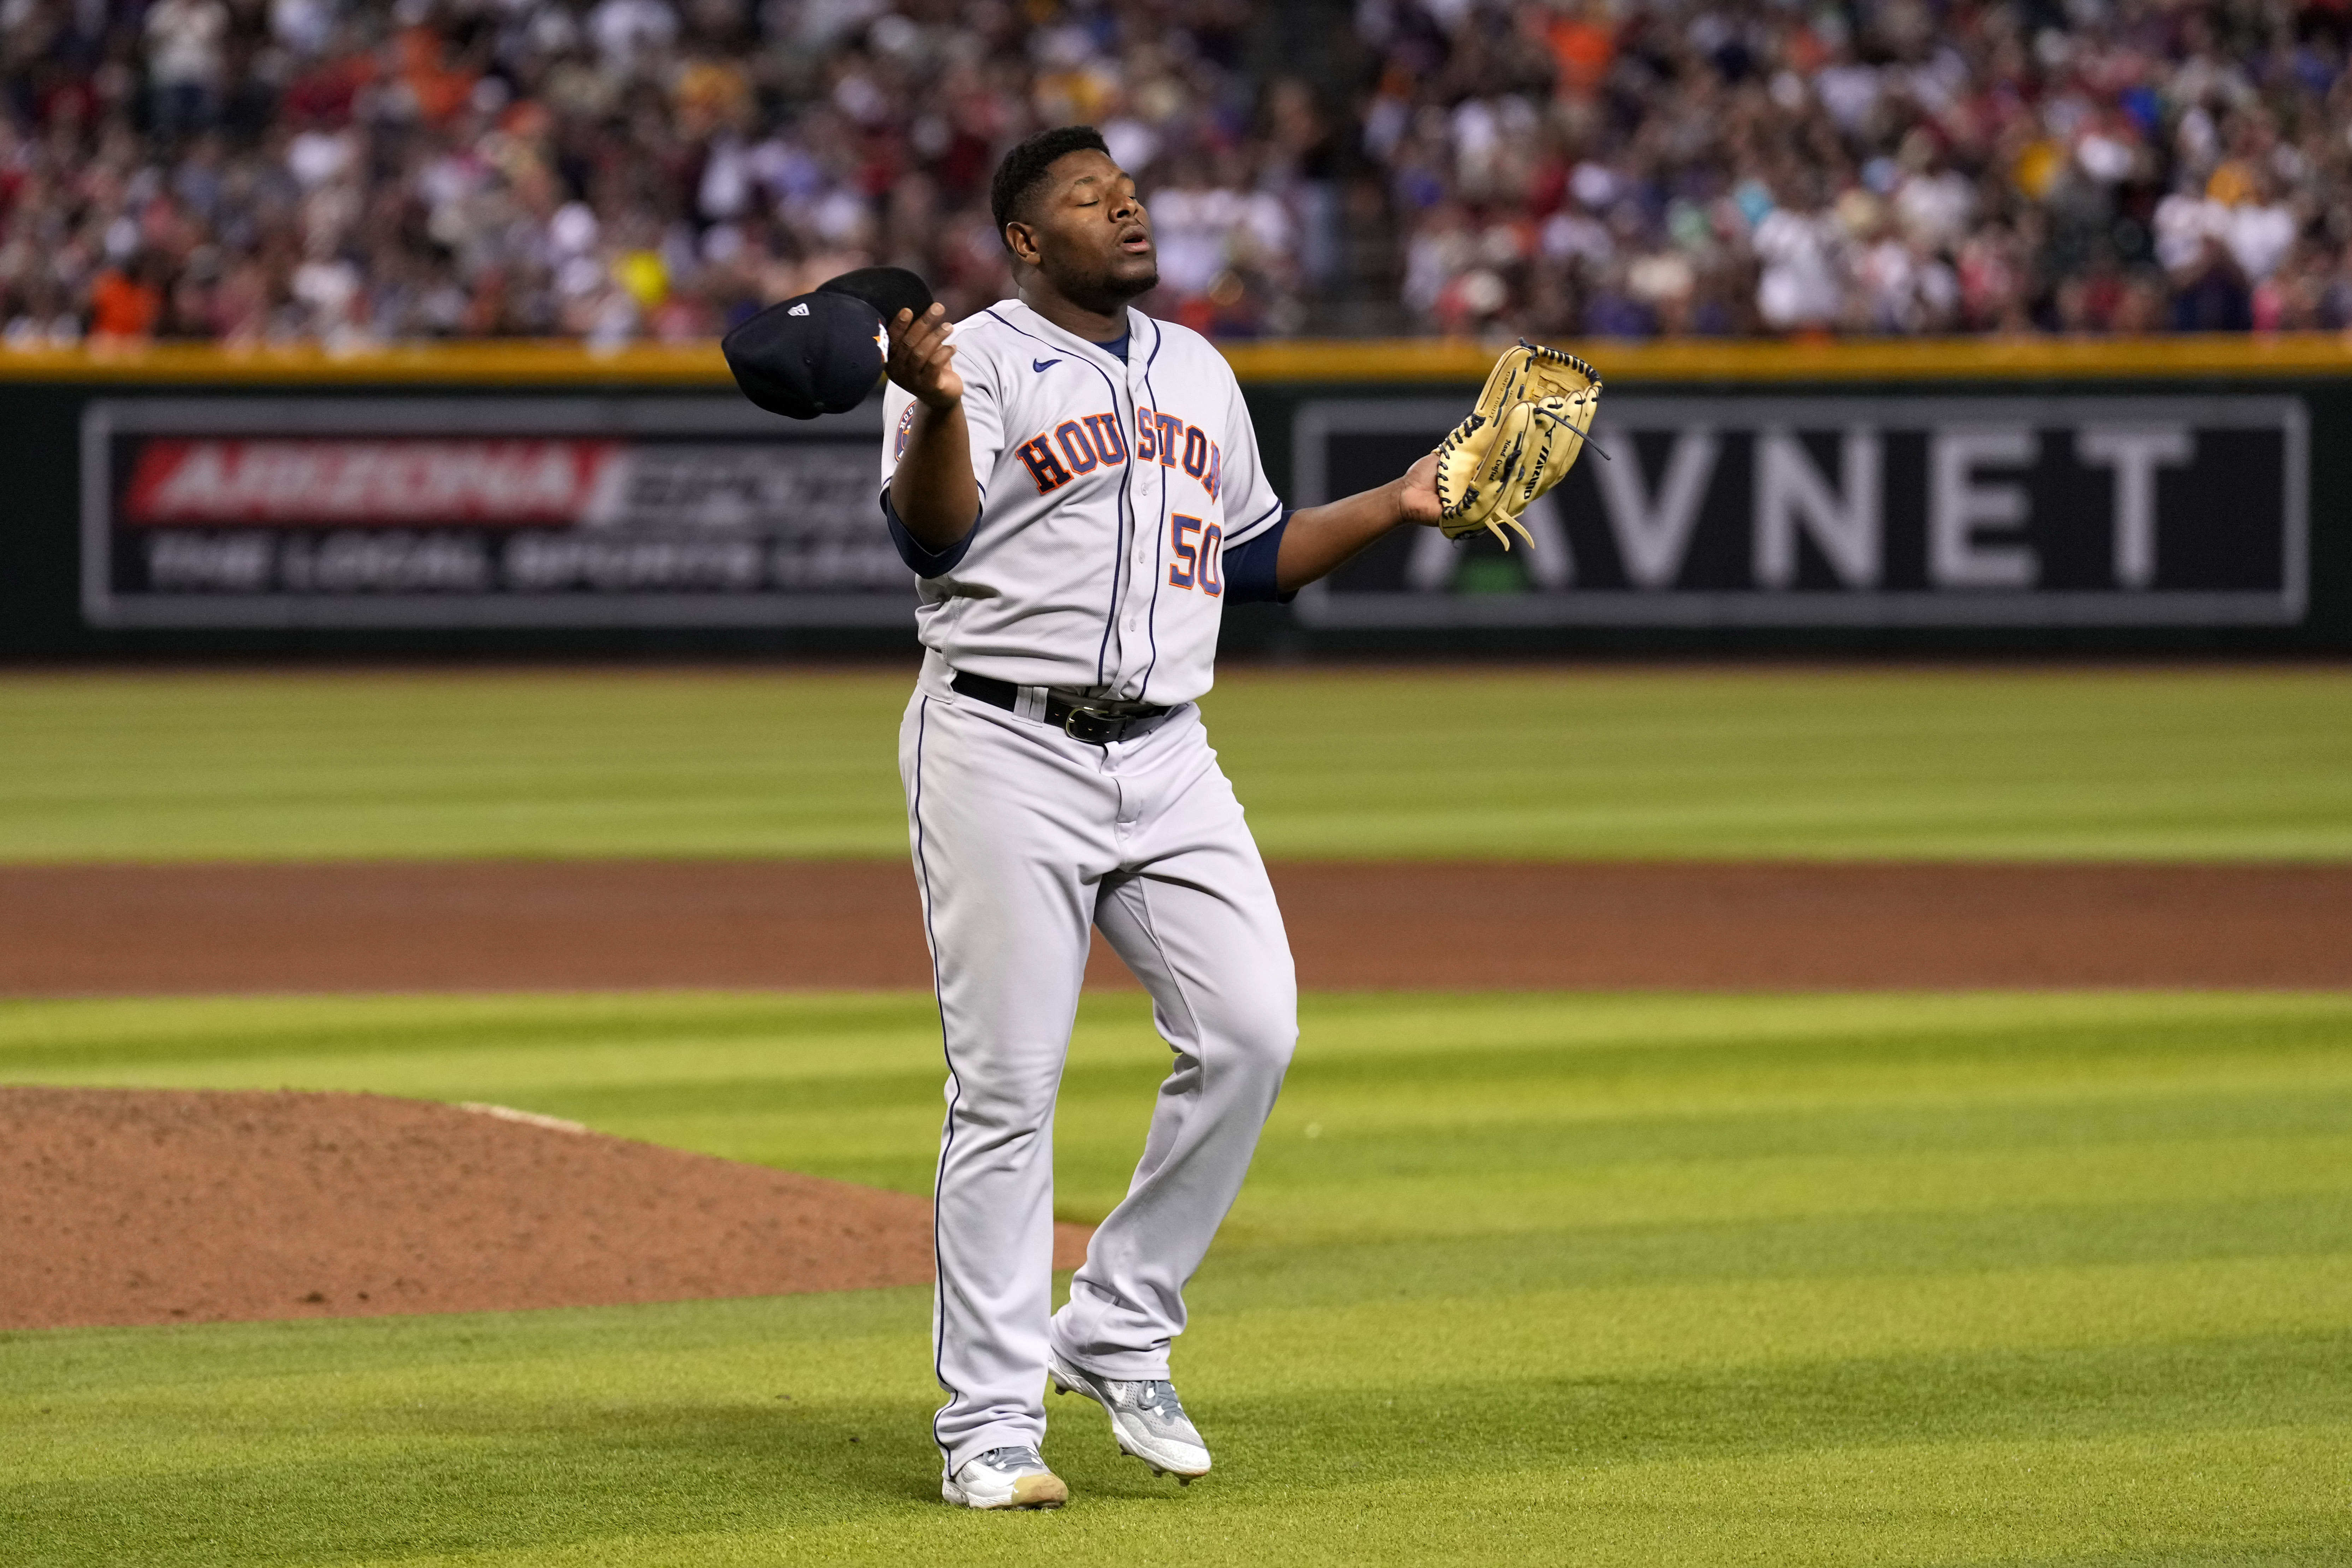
[1852,511]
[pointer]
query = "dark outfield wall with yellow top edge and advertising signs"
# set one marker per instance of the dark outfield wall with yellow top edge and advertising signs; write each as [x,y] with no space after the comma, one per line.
[2165,495]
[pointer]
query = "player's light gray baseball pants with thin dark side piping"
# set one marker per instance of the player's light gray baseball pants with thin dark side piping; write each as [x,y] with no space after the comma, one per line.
[1027,838]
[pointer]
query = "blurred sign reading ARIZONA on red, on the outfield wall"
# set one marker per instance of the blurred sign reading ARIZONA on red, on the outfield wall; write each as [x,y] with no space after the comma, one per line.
[481,511]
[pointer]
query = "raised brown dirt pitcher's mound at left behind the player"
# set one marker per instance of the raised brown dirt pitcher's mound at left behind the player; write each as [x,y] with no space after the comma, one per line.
[161,1207]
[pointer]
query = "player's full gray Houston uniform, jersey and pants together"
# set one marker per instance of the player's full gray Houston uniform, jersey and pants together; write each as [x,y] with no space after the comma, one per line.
[1121,507]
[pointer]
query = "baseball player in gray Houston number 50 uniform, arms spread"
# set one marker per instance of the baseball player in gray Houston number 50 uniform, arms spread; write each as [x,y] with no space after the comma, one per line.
[1078,490]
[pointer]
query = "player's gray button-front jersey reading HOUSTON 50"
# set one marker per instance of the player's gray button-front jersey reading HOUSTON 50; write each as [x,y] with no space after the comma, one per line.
[1109,500]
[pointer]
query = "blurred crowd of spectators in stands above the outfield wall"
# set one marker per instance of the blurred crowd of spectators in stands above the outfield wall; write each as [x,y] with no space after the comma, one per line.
[347,170]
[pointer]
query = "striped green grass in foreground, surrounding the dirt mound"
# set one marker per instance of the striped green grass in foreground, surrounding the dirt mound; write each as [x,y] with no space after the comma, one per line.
[1549,1280]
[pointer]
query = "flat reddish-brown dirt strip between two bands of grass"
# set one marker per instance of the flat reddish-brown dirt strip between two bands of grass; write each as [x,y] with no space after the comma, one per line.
[615,925]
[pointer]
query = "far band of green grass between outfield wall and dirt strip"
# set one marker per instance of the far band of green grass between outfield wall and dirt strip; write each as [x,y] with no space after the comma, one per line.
[1502,763]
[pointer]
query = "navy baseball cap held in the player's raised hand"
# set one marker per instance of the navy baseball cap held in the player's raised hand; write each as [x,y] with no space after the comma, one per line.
[822,351]
